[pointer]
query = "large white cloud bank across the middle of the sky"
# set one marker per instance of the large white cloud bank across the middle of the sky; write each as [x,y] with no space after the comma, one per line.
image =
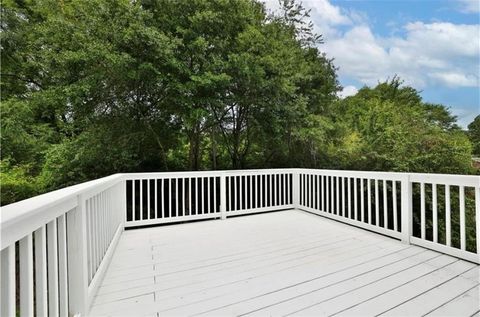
[437,53]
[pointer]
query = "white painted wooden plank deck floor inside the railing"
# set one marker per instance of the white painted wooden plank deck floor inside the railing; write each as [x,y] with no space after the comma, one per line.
[277,264]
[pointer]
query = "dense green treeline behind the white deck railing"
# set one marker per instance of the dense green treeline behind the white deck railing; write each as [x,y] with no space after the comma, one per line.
[95,87]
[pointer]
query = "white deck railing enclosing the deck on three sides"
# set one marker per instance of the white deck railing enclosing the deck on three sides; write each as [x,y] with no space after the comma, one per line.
[60,243]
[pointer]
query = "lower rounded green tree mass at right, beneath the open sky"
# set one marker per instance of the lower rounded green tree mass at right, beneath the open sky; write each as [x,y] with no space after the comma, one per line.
[389,128]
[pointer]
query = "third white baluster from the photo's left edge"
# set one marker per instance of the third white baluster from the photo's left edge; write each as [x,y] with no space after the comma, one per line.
[41,295]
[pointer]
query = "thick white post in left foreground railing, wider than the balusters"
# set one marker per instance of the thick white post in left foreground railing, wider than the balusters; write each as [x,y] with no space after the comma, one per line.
[77,259]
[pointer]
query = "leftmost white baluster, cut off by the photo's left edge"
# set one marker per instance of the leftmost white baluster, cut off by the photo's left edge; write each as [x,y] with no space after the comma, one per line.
[7,300]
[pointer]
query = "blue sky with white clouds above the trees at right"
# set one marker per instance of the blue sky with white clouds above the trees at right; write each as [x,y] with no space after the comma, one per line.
[433,45]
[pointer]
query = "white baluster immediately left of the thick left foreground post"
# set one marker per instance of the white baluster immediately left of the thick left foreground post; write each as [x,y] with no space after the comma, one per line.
[62,265]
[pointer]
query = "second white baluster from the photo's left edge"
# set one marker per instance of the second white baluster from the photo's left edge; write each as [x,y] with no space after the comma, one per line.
[26,276]
